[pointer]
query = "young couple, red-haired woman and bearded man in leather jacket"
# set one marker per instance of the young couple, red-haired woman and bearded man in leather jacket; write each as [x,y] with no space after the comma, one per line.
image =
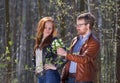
[80,65]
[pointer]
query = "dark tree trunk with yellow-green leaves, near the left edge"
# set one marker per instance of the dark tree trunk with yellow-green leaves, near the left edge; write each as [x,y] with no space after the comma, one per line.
[8,46]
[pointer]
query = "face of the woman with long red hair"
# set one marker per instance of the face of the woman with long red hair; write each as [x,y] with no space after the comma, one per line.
[48,29]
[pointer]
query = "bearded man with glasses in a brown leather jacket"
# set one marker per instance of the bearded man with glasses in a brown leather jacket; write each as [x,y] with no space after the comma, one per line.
[80,67]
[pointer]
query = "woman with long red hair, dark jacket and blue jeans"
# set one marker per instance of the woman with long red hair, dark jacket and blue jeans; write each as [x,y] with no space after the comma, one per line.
[47,62]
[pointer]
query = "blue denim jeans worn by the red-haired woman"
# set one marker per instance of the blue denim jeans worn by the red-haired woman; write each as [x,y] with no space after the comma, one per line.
[50,76]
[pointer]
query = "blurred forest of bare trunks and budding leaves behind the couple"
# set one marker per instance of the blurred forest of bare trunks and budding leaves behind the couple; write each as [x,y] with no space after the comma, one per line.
[18,22]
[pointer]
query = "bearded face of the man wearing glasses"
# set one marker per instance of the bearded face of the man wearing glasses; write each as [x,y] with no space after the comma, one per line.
[82,27]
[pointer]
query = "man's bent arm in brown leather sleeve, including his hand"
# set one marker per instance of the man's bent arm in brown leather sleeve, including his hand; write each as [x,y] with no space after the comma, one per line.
[88,55]
